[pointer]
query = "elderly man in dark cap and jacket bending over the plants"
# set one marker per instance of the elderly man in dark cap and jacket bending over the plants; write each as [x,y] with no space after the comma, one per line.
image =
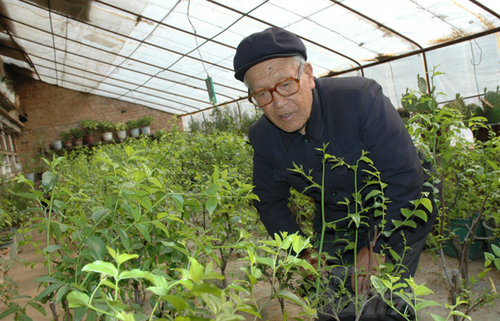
[351,115]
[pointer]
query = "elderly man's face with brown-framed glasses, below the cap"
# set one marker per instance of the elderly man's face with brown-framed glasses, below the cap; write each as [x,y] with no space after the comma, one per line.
[288,113]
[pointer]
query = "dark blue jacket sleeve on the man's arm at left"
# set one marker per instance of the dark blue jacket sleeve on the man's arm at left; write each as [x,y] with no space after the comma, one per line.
[273,194]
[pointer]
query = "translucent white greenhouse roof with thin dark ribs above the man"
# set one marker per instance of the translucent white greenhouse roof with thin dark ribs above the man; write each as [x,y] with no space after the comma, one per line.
[159,53]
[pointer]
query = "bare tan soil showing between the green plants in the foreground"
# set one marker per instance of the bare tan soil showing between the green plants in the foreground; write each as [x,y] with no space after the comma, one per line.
[429,272]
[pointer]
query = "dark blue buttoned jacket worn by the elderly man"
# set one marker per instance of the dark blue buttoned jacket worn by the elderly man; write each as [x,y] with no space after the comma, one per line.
[351,115]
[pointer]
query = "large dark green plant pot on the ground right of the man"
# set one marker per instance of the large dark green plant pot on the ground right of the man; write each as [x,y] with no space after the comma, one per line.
[459,226]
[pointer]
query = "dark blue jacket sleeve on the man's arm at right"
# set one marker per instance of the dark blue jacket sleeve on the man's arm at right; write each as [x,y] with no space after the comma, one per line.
[395,157]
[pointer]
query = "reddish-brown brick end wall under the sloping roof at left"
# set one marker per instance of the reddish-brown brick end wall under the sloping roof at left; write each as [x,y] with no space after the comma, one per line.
[52,109]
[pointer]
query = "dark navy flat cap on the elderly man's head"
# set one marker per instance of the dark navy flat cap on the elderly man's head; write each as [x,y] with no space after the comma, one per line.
[264,45]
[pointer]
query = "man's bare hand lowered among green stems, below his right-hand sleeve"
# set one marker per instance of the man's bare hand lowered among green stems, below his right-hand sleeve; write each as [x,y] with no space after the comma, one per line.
[363,269]
